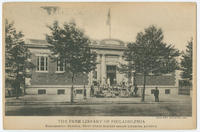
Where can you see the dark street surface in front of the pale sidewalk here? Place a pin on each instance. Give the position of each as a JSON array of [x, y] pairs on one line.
[[172, 109]]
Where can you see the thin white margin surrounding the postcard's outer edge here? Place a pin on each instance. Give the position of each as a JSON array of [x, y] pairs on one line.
[[198, 54]]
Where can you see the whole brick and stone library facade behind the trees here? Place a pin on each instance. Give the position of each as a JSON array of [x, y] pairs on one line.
[[50, 78]]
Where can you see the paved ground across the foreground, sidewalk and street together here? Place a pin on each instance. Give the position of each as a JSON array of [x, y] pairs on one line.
[[168, 106]]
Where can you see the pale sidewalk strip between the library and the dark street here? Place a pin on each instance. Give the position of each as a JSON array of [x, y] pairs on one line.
[[149, 99]]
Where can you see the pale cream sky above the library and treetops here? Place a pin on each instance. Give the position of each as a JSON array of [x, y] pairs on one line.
[[177, 20]]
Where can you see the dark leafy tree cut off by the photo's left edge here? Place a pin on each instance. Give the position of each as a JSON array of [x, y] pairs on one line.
[[16, 58]]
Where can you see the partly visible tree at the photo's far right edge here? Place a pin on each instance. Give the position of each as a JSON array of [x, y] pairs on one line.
[[186, 62]]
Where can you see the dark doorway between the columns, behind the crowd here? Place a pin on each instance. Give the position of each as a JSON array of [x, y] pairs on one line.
[[111, 74]]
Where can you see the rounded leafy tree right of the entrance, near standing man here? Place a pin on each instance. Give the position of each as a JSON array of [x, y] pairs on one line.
[[149, 54]]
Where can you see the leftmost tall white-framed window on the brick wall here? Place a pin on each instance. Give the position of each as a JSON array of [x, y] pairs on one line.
[[42, 63]]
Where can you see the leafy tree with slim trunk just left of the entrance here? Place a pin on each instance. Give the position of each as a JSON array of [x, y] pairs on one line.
[[71, 46]]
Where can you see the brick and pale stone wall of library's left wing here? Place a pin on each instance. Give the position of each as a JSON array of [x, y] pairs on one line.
[[51, 81]]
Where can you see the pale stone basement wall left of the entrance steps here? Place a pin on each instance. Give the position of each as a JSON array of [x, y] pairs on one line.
[[52, 93]]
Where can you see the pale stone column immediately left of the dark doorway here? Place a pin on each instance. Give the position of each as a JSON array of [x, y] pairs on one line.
[[103, 69]]
